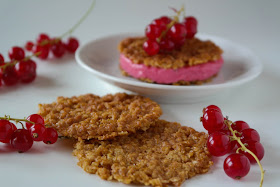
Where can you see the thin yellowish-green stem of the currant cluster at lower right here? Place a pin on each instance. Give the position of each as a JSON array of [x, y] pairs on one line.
[[244, 148]]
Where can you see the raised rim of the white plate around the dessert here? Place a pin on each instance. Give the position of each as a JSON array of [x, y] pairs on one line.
[[257, 69]]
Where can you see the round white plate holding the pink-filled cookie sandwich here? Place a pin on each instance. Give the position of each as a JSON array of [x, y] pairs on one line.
[[101, 58]]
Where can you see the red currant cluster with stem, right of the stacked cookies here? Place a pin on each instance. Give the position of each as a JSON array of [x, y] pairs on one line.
[[226, 137]]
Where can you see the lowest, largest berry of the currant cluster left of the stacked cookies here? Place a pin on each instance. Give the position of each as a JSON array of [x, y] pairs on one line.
[[21, 140]]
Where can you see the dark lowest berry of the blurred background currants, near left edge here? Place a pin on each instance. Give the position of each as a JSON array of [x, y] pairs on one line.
[[10, 76]]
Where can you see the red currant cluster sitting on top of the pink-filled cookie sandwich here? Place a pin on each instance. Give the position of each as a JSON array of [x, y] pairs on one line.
[[166, 34]]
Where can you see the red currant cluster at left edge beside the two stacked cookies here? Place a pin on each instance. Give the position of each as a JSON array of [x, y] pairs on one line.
[[22, 139]]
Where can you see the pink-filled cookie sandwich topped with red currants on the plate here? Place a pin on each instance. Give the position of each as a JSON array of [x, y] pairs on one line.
[[170, 54]]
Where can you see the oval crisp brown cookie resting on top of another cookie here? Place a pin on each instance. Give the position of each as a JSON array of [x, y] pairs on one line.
[[90, 116]]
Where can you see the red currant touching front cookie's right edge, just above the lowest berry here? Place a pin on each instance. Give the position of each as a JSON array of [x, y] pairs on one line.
[[218, 144]]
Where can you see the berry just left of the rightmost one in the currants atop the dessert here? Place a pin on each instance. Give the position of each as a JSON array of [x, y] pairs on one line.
[[177, 33]]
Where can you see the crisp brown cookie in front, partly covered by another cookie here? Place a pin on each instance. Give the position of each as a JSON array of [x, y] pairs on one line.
[[165, 154]]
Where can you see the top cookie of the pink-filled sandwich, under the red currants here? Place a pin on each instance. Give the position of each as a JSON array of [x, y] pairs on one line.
[[193, 52]]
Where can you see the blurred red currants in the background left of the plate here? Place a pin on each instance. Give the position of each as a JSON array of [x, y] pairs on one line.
[[22, 68]]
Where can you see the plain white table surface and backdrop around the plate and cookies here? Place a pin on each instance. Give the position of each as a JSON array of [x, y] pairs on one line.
[[253, 23]]
